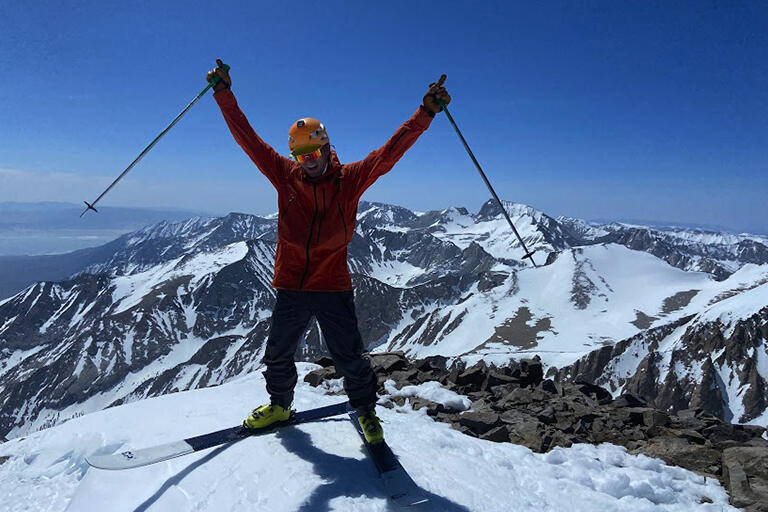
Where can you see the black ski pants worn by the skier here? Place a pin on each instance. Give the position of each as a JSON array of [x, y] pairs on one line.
[[335, 312]]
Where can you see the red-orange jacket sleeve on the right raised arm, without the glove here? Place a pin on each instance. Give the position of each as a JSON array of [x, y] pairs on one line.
[[365, 172]]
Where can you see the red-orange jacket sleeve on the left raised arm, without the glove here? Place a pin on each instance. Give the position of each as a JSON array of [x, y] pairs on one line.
[[274, 166]]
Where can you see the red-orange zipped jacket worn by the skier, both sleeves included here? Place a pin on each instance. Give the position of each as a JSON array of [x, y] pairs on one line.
[[316, 217]]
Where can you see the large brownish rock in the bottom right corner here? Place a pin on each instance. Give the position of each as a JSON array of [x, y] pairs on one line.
[[745, 472]]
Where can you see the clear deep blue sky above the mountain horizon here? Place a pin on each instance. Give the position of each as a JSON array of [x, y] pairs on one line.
[[593, 109]]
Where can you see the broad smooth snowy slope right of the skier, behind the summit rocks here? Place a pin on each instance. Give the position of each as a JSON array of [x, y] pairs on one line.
[[587, 298]]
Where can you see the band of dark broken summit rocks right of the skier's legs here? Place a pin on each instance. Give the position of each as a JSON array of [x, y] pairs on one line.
[[514, 404]]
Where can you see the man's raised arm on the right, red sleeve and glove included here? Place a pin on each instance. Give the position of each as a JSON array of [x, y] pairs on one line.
[[365, 172]]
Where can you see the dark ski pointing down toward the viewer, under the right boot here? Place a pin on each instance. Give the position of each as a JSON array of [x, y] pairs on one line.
[[399, 485]]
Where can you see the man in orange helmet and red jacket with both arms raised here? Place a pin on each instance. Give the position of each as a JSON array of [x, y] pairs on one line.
[[317, 207]]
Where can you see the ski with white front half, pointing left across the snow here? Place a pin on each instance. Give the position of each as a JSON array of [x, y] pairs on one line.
[[137, 458]]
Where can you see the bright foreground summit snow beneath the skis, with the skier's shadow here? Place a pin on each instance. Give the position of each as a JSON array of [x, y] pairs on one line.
[[321, 466]]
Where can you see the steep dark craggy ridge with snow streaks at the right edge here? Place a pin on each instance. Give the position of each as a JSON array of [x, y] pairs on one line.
[[709, 358]]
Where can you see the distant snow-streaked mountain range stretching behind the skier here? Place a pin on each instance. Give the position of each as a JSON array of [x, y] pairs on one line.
[[186, 305]]
